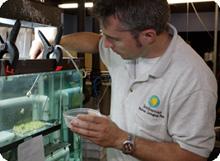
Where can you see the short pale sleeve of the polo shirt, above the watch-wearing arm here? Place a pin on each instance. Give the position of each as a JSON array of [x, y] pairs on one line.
[[191, 122]]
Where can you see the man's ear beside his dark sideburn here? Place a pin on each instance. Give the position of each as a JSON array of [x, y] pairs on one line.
[[148, 36]]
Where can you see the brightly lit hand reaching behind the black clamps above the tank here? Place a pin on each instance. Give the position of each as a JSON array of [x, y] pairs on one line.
[[36, 50]]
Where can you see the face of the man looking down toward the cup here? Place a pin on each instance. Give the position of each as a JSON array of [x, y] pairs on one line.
[[121, 41]]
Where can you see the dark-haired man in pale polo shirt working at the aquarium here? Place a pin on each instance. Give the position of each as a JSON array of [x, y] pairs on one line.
[[163, 94]]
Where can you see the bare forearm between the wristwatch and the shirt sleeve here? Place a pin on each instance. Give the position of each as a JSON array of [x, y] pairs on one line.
[[162, 151]]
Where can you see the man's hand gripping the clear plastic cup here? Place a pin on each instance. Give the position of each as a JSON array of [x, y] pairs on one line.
[[99, 129]]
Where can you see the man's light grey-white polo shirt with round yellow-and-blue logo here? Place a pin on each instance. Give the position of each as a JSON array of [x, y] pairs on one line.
[[172, 100]]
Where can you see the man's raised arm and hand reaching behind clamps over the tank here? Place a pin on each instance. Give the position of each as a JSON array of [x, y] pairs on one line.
[[79, 42]]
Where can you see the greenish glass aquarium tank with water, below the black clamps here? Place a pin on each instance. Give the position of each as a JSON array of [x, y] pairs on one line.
[[31, 104]]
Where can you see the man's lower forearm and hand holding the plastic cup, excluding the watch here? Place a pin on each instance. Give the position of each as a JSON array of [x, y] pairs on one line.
[[102, 131]]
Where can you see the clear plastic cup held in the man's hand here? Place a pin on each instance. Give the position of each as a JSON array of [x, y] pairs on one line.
[[71, 114]]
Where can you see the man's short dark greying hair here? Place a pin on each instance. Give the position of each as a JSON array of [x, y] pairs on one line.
[[135, 15]]
